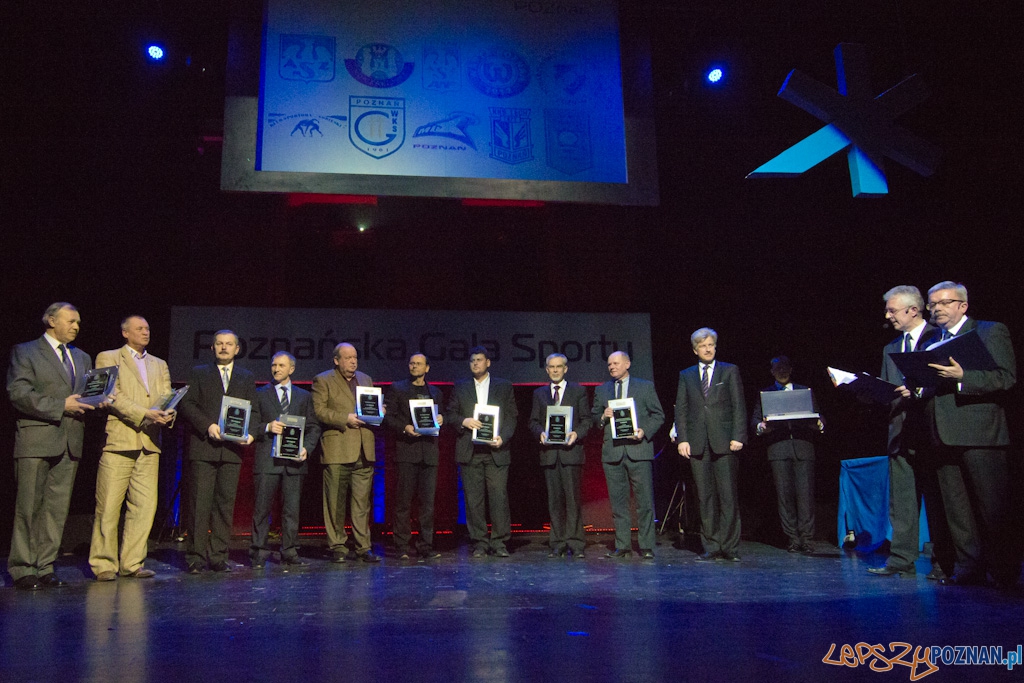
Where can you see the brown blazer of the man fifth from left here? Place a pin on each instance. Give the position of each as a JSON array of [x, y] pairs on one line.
[[334, 402]]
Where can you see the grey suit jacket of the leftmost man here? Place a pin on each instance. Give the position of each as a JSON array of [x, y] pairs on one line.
[[37, 387]]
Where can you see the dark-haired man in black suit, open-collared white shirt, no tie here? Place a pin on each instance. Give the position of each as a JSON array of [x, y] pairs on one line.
[[485, 467]]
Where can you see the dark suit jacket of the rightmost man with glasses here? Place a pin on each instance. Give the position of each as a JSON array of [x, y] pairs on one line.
[[975, 415]]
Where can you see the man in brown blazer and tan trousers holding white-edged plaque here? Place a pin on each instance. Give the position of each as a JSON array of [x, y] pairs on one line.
[[349, 456]]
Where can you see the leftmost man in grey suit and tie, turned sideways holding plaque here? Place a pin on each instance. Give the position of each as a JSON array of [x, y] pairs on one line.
[[45, 382]]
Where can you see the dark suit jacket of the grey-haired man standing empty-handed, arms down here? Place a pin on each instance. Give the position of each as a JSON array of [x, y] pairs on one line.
[[715, 420]]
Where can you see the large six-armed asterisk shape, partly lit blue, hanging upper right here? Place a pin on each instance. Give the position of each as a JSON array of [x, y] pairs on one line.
[[857, 120]]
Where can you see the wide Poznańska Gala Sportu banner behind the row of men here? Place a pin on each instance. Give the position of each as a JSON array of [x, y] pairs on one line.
[[519, 341]]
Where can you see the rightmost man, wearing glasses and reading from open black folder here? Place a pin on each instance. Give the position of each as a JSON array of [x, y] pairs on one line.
[[968, 425]]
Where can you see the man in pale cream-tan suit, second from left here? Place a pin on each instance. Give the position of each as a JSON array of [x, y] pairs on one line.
[[131, 464]]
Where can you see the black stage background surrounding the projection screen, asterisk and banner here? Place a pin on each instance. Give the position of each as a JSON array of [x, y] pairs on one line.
[[110, 199]]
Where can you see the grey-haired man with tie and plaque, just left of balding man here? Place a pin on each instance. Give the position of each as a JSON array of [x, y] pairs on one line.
[[563, 463]]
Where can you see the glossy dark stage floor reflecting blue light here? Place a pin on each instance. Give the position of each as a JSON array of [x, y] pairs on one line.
[[774, 617]]
